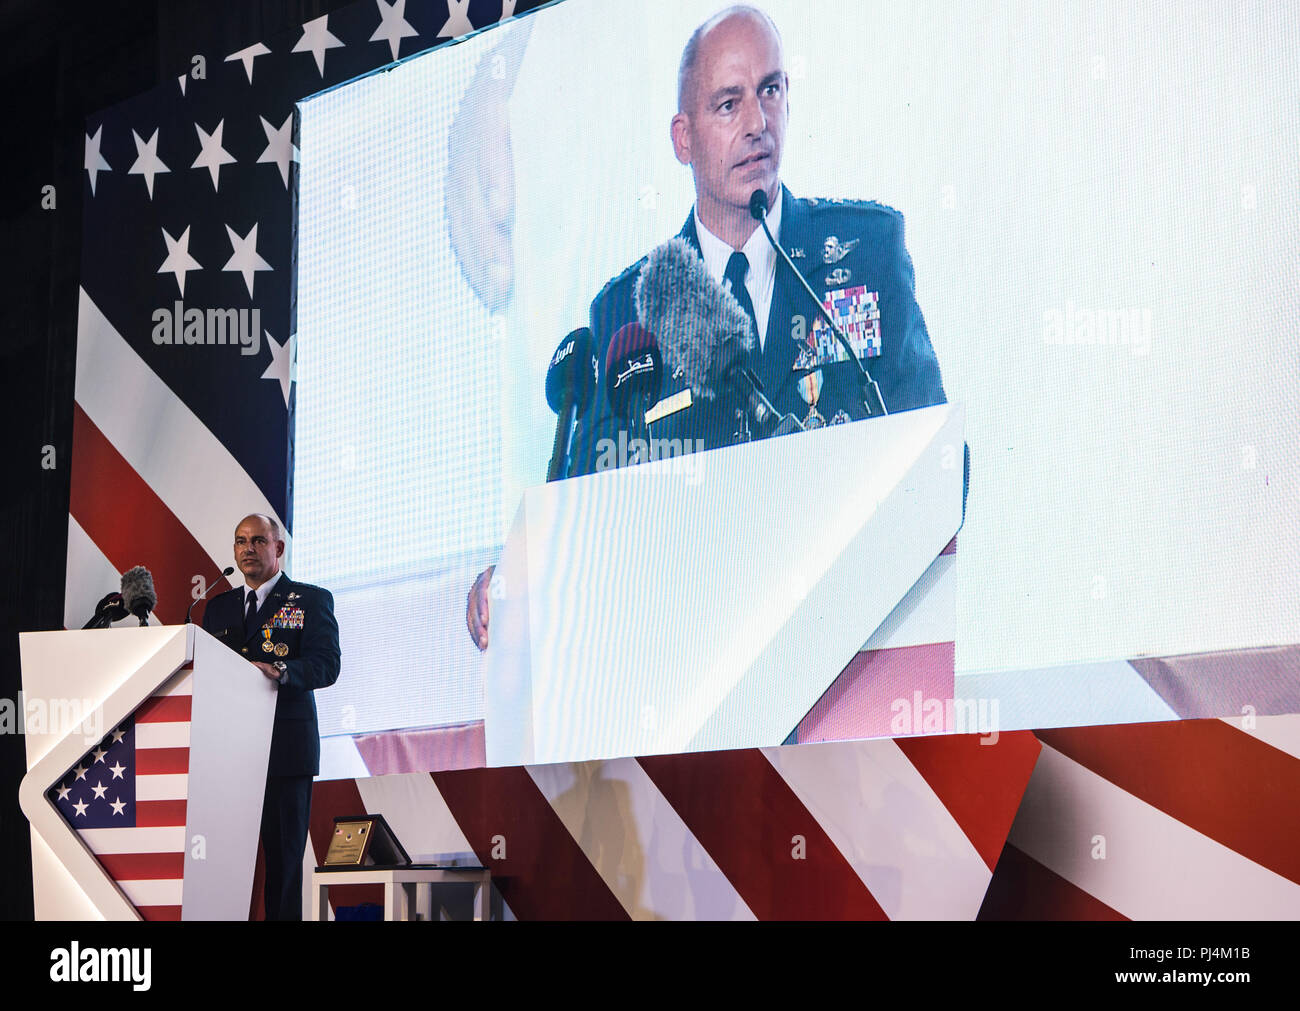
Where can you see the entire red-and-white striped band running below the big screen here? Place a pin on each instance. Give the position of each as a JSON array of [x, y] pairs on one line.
[[1173, 821]]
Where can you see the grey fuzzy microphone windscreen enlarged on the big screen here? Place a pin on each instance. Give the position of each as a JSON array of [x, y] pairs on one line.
[[700, 326]]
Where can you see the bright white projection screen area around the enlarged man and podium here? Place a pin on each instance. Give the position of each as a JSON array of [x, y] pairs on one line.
[[1102, 205]]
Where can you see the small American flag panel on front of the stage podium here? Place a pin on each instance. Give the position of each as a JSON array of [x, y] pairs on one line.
[[127, 800]]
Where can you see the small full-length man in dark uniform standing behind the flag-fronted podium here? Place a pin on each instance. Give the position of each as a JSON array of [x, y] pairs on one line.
[[288, 631]]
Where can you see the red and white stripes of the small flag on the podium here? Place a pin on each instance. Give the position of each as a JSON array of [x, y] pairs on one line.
[[148, 861]]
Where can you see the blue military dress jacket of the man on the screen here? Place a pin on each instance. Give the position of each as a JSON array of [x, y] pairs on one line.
[[840, 248]]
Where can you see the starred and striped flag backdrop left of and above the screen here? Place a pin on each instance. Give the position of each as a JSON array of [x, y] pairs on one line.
[[190, 222]]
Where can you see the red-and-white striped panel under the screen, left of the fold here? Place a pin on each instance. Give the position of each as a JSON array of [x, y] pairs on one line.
[[866, 830]]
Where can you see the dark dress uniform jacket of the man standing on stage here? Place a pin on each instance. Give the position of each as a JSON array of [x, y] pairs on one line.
[[298, 622]]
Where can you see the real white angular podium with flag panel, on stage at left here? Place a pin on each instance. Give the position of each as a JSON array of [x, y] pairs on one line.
[[187, 726]]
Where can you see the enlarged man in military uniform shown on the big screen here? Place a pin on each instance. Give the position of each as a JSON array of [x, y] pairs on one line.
[[733, 111]]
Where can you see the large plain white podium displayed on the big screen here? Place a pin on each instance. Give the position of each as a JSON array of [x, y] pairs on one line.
[[707, 602]]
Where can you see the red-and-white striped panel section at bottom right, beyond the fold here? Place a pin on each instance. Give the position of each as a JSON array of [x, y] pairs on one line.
[[1181, 821]]
